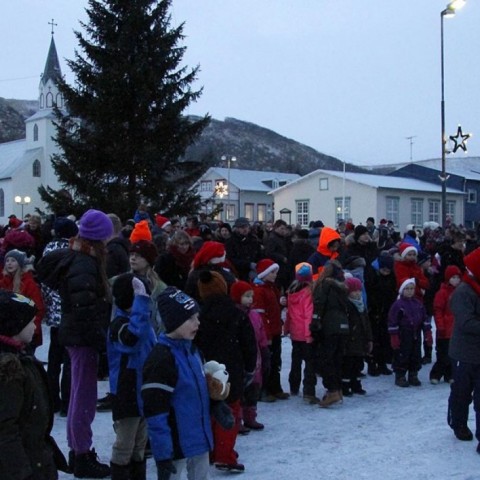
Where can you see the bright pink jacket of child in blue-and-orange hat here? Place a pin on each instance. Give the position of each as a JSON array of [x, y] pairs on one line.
[[299, 315]]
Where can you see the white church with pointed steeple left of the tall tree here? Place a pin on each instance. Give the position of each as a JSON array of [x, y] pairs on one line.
[[25, 164]]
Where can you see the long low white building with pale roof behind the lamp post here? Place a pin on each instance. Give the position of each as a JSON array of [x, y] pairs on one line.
[[329, 195]]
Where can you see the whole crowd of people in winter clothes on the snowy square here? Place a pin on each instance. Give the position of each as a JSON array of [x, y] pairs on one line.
[[186, 320]]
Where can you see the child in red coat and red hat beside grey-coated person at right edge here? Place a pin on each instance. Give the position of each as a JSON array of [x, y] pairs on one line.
[[444, 320]]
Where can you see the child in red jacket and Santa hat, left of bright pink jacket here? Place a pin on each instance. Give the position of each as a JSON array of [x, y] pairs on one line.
[[267, 303]]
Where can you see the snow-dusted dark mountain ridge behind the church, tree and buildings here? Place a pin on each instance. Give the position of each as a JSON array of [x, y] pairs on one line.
[[255, 147]]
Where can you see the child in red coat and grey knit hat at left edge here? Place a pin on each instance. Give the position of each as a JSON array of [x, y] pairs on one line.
[[17, 277]]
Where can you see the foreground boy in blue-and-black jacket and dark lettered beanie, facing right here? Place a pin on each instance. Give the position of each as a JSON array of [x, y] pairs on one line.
[[175, 393]]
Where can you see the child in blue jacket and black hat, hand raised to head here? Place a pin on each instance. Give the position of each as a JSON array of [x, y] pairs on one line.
[[130, 340]]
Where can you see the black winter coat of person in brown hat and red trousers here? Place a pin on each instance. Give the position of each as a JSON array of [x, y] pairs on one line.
[[226, 335]]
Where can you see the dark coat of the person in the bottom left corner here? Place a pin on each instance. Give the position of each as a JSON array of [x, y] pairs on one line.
[[26, 418]]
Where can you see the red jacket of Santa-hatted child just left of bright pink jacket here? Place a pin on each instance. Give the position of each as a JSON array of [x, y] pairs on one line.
[[266, 301]]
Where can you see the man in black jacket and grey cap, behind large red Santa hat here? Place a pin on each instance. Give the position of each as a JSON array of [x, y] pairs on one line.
[[243, 249]]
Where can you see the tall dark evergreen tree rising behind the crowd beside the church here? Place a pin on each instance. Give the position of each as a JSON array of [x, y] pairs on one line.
[[124, 133]]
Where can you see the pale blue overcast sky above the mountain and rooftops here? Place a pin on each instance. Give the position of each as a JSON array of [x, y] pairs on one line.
[[350, 78]]
